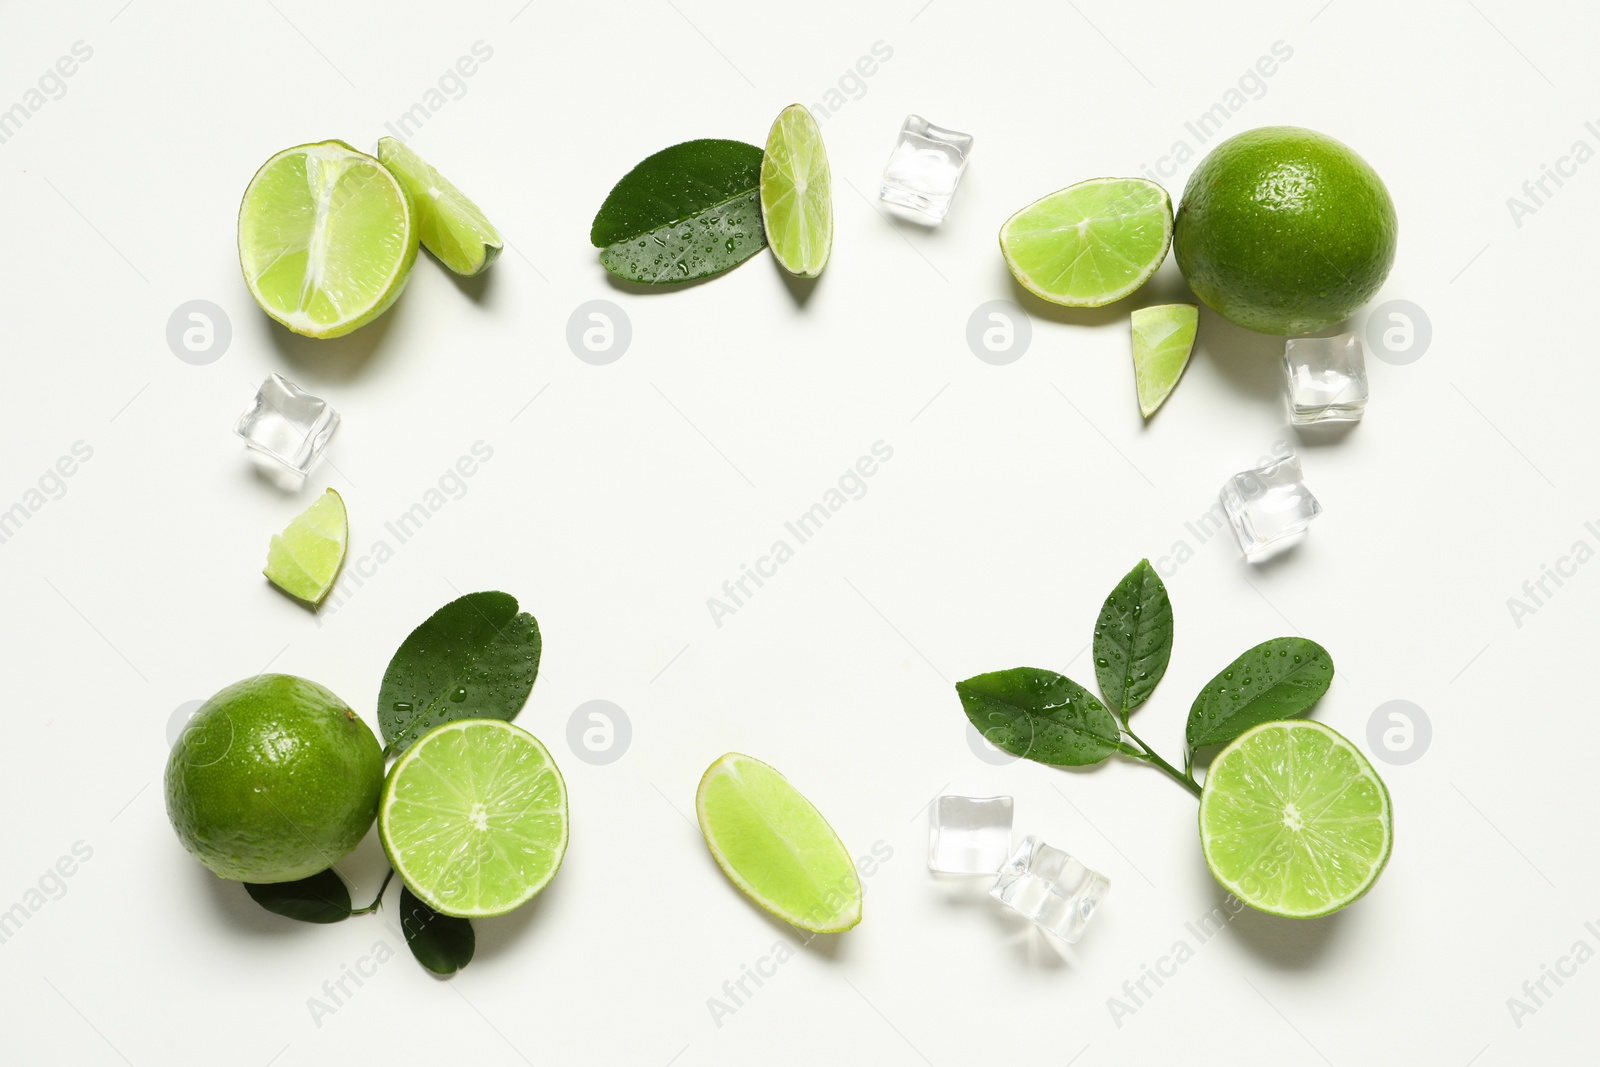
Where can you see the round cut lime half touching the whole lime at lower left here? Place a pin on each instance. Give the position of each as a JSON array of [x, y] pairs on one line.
[[474, 818]]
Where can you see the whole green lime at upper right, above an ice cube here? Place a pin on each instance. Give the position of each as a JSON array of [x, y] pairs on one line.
[[1286, 231]]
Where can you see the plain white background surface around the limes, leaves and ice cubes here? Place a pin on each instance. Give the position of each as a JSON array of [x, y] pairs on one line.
[[622, 497]]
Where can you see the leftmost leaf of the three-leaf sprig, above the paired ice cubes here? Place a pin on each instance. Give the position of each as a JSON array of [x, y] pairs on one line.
[[1041, 716]]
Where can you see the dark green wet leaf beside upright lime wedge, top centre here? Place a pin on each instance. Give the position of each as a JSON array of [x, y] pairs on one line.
[[684, 214]]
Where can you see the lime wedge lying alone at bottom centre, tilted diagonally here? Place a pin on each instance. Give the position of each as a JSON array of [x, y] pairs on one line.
[[777, 847]]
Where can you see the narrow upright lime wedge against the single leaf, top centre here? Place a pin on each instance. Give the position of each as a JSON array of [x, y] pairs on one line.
[[798, 194]]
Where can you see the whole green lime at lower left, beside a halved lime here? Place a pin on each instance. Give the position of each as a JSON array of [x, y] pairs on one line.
[[274, 780]]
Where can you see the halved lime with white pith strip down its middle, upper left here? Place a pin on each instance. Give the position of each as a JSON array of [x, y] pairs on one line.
[[326, 238]]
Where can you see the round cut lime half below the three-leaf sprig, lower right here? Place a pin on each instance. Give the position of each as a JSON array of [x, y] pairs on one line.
[[1295, 821]]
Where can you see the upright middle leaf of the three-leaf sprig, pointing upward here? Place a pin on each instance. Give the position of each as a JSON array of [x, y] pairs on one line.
[[1134, 639]]
